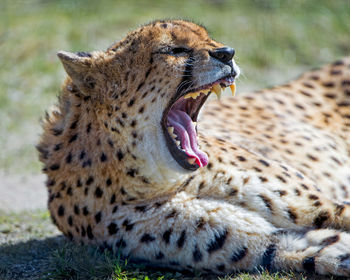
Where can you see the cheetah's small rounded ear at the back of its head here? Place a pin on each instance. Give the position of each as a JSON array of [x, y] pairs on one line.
[[79, 68]]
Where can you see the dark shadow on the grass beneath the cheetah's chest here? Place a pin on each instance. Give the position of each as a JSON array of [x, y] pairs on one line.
[[57, 258]]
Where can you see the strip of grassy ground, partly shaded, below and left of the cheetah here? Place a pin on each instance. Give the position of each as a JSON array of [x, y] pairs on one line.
[[32, 248]]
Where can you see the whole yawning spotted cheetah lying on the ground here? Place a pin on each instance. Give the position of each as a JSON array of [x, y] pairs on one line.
[[259, 181]]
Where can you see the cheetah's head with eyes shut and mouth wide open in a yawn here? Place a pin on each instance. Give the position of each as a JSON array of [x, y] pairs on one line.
[[149, 88]]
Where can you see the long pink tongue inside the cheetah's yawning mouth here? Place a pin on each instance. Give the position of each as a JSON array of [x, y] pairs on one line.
[[185, 130]]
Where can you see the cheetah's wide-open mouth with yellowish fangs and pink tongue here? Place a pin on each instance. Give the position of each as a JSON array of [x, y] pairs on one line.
[[180, 123]]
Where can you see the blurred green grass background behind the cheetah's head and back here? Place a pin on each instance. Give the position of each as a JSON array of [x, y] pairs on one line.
[[274, 41]]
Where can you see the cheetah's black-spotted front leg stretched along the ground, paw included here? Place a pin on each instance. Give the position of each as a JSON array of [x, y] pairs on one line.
[[209, 235]]
